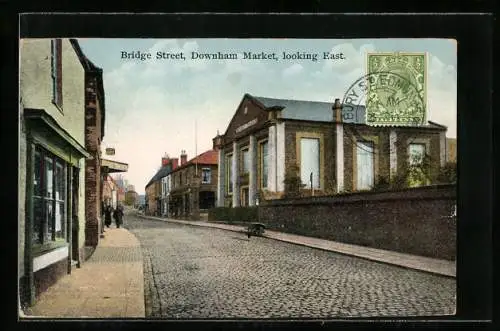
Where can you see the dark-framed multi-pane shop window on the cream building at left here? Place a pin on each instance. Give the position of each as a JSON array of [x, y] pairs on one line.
[[49, 198]]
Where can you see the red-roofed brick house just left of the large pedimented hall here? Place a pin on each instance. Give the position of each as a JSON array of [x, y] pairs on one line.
[[191, 188]]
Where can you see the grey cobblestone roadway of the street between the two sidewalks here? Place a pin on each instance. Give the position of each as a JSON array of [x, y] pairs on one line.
[[193, 272]]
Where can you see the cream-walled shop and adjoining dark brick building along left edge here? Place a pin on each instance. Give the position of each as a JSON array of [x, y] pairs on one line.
[[62, 173]]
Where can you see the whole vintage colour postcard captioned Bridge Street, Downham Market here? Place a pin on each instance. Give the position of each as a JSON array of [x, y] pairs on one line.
[[237, 178]]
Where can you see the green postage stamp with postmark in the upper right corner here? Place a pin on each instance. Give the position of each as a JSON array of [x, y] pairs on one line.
[[396, 88]]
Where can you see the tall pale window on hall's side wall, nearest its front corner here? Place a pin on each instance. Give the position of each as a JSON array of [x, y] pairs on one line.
[[309, 162]]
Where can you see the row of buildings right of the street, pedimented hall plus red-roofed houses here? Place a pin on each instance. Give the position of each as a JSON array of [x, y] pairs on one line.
[[273, 146]]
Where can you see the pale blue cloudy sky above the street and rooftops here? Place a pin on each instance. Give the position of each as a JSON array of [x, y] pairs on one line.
[[157, 106]]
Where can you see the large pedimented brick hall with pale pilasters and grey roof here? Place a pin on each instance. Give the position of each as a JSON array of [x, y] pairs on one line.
[[270, 144]]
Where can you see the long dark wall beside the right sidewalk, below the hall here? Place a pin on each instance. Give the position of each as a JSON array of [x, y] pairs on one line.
[[413, 221]]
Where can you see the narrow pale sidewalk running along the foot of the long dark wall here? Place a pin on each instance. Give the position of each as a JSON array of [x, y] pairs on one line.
[[435, 266]]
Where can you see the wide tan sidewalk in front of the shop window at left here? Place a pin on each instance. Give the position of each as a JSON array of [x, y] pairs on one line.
[[110, 284]]
